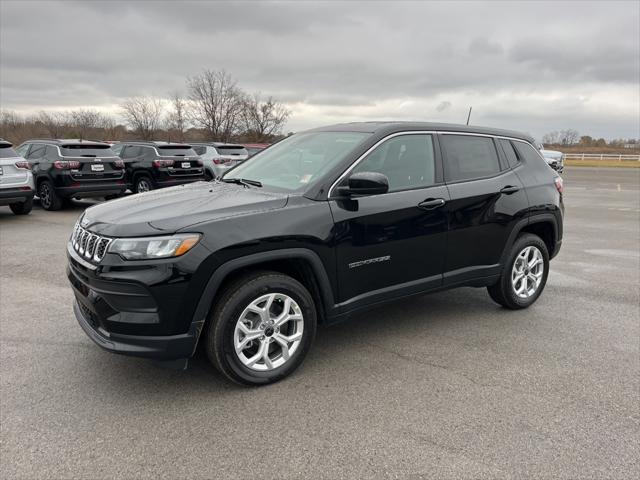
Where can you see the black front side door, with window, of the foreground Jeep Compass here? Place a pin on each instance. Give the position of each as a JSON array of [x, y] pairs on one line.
[[396, 240]]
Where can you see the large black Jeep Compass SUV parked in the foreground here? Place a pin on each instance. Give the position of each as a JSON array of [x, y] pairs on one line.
[[322, 224]]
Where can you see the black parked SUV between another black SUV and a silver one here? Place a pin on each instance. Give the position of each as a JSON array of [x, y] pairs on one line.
[[152, 165]]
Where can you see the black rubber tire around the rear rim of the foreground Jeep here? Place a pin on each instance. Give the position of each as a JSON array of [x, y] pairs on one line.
[[503, 292]]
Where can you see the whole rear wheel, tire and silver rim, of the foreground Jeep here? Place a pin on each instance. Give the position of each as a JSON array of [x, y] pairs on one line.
[[524, 275]]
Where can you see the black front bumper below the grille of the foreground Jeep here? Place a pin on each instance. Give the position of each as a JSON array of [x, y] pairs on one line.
[[123, 315]]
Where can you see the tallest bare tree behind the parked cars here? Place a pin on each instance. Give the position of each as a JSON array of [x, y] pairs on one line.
[[217, 103]]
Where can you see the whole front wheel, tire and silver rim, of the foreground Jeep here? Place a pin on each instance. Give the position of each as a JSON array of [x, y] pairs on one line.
[[261, 328]]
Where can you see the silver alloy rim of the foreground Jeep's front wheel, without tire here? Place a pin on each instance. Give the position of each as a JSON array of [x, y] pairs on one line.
[[268, 332]]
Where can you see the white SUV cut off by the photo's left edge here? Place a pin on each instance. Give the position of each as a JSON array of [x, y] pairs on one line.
[[16, 180]]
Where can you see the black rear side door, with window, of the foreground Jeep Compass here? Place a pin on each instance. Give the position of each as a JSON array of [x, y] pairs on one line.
[[487, 200]]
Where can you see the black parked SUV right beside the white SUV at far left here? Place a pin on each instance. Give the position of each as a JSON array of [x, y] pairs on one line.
[[65, 169]]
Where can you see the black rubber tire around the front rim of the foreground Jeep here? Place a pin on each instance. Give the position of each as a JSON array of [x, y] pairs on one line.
[[219, 334]]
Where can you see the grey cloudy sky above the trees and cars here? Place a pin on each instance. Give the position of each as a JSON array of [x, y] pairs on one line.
[[530, 66]]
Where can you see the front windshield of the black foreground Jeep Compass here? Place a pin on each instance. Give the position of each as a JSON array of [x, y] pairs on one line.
[[296, 162]]
